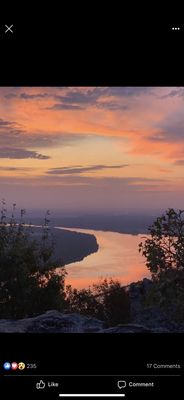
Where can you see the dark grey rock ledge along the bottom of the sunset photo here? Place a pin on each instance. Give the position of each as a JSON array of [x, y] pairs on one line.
[[56, 322]]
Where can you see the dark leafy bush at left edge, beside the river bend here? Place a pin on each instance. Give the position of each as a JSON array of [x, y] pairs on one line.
[[28, 282]]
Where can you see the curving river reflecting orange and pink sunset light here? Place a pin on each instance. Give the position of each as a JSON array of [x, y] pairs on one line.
[[117, 257]]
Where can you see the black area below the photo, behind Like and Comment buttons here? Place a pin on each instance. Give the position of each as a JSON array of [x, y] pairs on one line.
[[112, 355]]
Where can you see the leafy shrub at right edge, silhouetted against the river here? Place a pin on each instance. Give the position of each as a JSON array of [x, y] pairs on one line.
[[164, 252]]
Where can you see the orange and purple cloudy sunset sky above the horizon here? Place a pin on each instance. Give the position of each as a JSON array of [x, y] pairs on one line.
[[92, 149]]
